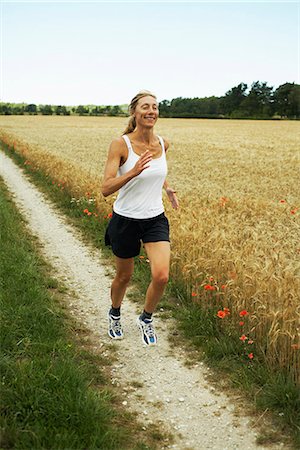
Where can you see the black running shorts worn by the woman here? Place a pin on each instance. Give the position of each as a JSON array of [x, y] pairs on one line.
[[124, 234]]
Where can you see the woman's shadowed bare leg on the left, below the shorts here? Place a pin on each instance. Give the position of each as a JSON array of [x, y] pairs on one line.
[[124, 267]]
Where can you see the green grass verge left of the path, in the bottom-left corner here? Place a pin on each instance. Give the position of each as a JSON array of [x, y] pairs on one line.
[[54, 392]]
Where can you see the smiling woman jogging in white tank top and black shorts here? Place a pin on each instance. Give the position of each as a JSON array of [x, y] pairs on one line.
[[136, 167]]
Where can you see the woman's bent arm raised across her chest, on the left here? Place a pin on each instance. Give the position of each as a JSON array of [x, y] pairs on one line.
[[112, 183]]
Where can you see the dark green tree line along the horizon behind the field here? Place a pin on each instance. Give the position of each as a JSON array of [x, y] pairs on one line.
[[260, 101]]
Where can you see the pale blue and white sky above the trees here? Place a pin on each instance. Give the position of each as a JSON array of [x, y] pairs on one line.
[[93, 52]]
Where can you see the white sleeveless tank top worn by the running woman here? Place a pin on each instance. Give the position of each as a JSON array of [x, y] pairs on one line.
[[141, 197]]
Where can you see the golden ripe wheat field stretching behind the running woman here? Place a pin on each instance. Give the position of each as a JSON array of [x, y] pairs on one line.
[[237, 229]]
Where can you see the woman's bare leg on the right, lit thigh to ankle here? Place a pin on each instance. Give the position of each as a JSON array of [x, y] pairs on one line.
[[159, 256]]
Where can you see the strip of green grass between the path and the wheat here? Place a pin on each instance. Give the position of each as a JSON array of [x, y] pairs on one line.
[[219, 346]]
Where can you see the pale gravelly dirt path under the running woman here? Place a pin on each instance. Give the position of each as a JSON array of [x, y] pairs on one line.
[[155, 381]]
